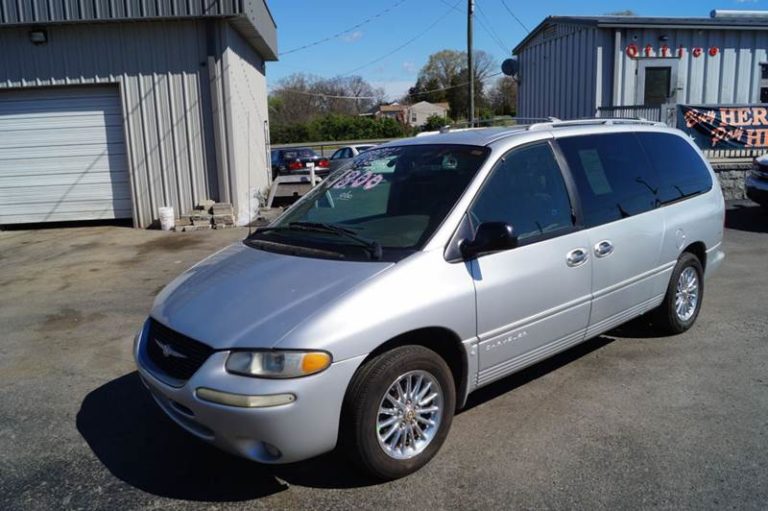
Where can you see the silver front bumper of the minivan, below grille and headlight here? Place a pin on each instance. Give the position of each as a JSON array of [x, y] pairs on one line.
[[292, 432]]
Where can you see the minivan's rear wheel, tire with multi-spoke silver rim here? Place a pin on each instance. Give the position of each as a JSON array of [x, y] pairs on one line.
[[667, 317]]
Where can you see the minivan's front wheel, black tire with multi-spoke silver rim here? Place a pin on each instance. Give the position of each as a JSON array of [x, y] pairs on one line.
[[363, 429]]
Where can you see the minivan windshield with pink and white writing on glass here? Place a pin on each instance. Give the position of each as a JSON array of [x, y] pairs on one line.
[[386, 201]]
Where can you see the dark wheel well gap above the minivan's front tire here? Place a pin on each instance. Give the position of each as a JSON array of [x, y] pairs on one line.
[[442, 341]]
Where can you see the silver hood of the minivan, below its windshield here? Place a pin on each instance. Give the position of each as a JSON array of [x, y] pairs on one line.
[[242, 297]]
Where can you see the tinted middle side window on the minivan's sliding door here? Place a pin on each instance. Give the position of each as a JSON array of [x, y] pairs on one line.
[[614, 178]]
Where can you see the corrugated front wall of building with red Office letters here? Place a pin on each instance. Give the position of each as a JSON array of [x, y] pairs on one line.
[[732, 76]]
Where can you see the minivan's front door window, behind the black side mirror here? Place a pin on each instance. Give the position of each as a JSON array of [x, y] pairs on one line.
[[527, 191]]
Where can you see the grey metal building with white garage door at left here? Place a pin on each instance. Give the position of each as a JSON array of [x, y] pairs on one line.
[[112, 109]]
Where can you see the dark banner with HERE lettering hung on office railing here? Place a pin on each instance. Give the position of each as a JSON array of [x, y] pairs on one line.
[[725, 126]]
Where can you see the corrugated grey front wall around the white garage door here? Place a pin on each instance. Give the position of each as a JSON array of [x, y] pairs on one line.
[[161, 70]]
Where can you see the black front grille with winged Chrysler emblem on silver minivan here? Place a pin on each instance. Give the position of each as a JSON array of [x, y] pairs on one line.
[[173, 353]]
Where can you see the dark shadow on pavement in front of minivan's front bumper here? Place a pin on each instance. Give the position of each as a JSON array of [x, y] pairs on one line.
[[139, 445]]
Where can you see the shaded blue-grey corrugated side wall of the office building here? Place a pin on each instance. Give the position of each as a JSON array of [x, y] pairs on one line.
[[562, 72]]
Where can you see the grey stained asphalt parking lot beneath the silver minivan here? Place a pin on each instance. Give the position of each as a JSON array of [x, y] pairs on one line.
[[624, 421]]
